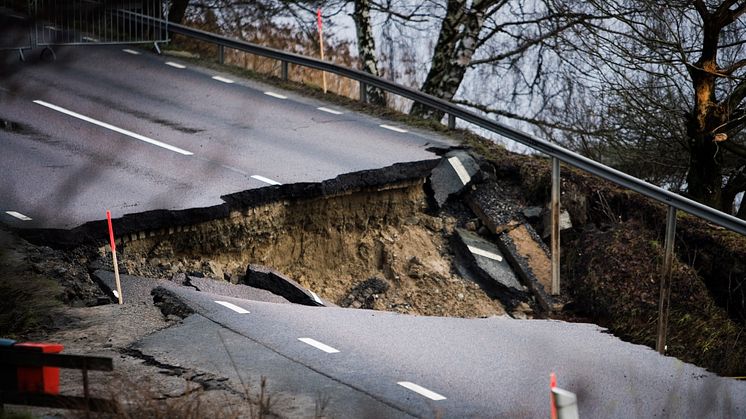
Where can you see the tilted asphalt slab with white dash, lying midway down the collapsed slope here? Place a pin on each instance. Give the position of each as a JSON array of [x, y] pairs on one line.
[[488, 263]]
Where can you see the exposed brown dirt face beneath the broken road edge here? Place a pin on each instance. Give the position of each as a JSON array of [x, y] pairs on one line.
[[331, 245]]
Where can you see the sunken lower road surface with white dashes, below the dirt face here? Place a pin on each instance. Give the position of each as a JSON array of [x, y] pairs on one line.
[[381, 364]]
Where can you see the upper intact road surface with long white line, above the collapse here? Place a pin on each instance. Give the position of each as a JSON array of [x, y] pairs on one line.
[[127, 130]]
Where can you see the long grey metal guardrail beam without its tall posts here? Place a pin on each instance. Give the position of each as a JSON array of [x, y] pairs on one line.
[[569, 157]]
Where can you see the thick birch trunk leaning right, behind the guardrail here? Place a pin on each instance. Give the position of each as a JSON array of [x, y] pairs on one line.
[[457, 42]]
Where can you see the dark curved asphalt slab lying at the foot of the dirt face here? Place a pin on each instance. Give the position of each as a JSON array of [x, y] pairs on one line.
[[259, 276]]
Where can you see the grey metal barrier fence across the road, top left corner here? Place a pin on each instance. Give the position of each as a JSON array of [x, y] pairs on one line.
[[47, 23]]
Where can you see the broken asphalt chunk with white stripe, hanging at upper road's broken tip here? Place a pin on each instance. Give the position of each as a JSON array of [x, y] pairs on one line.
[[452, 174]]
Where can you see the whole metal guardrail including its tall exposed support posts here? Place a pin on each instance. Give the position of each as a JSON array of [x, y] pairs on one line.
[[556, 152]]
